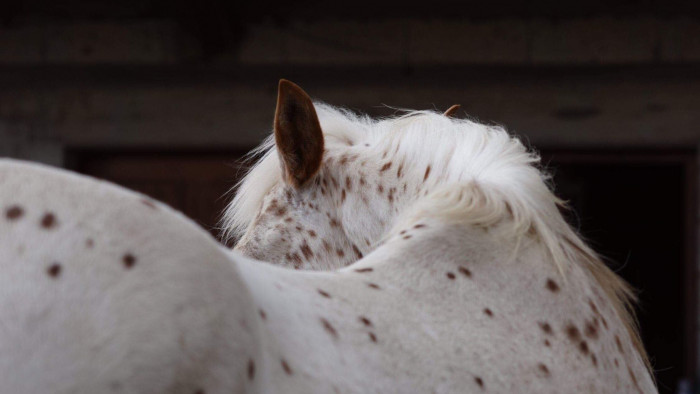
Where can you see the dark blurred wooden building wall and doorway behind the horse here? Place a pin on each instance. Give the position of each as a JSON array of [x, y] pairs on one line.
[[165, 97]]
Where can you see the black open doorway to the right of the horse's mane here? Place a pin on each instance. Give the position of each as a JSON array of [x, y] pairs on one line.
[[637, 211]]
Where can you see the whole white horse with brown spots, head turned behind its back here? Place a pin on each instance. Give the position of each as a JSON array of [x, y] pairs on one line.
[[461, 277]]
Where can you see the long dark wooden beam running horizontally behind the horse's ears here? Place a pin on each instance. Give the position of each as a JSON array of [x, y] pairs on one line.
[[573, 108]]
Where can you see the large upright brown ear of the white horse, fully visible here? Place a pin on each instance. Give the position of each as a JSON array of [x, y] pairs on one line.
[[298, 134]]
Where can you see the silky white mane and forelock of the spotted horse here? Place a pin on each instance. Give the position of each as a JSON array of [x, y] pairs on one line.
[[481, 175]]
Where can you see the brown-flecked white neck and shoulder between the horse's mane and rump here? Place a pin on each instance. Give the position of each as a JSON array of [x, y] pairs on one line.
[[454, 295]]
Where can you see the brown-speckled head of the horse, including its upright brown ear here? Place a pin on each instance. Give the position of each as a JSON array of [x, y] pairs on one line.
[[311, 201]]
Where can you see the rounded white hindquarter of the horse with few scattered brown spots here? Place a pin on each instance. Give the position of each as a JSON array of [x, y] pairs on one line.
[[105, 290]]
